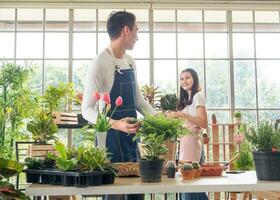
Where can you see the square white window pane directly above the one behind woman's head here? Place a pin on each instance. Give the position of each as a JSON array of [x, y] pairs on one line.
[[190, 45]]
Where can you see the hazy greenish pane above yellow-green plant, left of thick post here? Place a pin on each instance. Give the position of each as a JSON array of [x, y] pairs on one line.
[[56, 71]]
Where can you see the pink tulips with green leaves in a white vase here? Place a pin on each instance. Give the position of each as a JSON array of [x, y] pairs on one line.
[[103, 107]]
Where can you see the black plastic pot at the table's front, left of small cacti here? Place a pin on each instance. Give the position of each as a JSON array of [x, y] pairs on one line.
[[150, 170]]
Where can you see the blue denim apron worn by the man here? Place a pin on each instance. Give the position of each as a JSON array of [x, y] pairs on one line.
[[120, 145]]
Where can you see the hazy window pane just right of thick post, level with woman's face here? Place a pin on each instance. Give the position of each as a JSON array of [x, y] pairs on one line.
[[244, 84]]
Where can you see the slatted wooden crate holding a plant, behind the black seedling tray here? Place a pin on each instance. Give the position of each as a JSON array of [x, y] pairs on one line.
[[39, 150]]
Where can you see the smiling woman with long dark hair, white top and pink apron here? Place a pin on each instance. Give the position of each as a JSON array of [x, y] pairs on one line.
[[192, 110]]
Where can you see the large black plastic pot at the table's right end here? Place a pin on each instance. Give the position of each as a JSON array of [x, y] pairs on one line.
[[267, 165]]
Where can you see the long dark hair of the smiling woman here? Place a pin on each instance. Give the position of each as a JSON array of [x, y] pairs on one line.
[[185, 100]]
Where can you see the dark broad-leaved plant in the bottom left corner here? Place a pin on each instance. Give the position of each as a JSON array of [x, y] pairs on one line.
[[9, 168]]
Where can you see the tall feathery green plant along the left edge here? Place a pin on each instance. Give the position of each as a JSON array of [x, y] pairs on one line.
[[16, 101]]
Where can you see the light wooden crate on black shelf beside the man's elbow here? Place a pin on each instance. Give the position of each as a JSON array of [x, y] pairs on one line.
[[64, 118]]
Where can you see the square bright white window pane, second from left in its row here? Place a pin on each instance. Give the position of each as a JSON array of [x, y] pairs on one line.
[[29, 45]]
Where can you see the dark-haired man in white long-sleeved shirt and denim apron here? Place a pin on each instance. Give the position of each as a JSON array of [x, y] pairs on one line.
[[113, 71]]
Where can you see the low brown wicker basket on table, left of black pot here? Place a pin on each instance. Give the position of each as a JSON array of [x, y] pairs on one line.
[[127, 169]]
